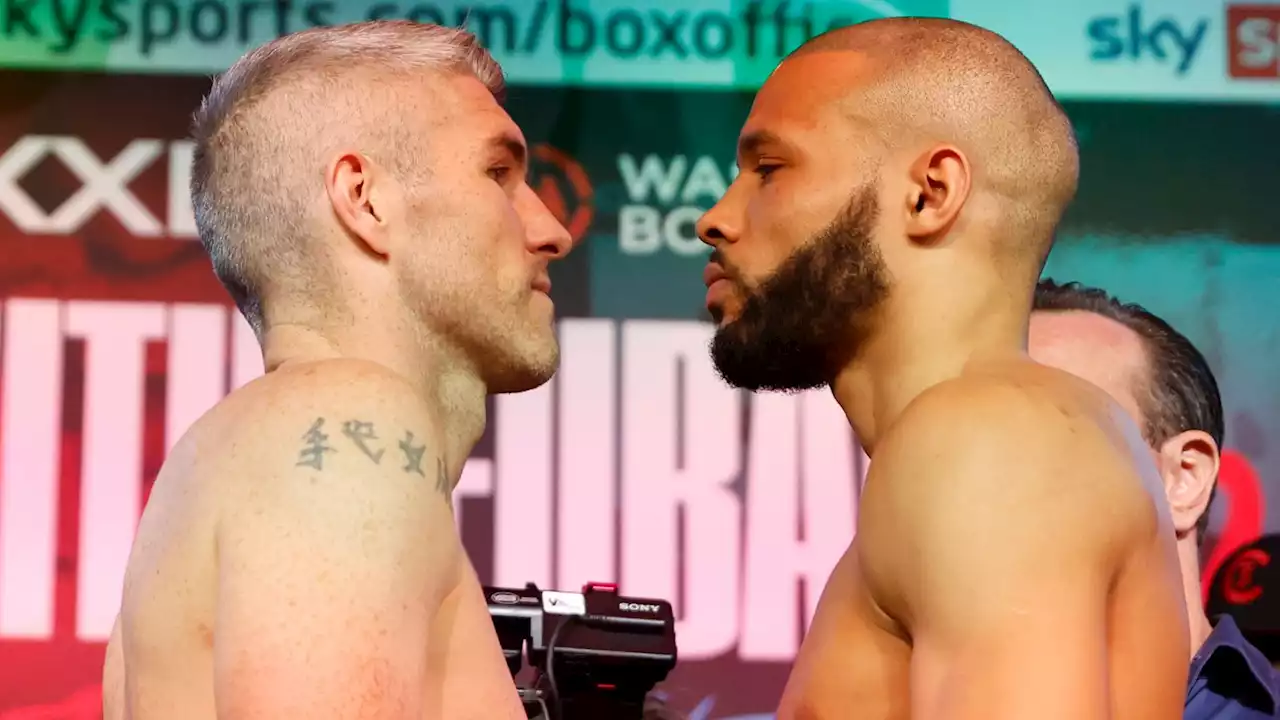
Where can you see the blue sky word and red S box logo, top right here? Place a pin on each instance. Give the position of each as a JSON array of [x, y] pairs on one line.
[[1139, 35]]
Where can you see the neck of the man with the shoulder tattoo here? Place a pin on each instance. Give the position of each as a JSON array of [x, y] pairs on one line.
[[441, 376]]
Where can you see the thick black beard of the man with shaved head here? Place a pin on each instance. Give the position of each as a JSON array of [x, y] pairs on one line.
[[813, 313]]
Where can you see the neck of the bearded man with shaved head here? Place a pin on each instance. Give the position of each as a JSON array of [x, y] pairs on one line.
[[927, 341]]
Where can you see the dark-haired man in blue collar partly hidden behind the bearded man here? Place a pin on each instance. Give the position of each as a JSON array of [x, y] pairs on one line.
[[1156, 375]]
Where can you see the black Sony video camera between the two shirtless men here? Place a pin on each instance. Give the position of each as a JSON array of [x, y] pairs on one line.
[[596, 655]]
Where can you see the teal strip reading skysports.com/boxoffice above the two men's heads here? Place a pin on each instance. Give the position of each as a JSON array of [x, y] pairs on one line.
[[582, 43]]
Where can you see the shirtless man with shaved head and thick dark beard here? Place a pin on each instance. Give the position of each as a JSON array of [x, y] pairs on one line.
[[900, 186]]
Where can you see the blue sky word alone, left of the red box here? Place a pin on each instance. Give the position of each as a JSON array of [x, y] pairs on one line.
[[1139, 38]]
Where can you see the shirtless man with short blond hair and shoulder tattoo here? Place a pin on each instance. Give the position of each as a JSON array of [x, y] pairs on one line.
[[364, 199]]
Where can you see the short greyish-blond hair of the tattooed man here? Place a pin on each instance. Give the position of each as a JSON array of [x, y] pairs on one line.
[[268, 121]]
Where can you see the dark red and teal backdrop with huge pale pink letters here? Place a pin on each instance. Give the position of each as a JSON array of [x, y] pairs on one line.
[[636, 464]]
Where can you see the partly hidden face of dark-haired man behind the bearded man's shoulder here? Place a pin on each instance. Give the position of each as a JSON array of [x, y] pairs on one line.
[[1096, 349]]
